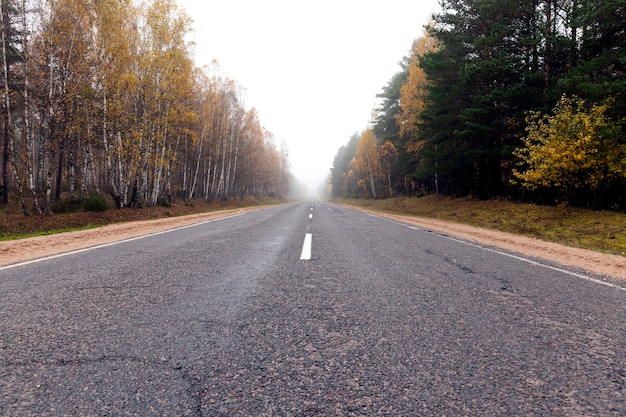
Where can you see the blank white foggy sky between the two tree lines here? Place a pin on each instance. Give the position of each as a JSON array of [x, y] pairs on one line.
[[311, 69]]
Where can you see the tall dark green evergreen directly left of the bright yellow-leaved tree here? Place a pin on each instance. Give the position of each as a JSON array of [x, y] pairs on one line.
[[482, 79]]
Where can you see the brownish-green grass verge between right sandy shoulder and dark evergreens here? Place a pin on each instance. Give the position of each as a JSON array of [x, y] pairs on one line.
[[595, 230]]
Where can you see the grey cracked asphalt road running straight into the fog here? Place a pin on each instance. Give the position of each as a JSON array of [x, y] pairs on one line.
[[226, 319]]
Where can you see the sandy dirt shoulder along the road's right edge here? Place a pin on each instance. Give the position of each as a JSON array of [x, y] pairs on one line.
[[594, 262]]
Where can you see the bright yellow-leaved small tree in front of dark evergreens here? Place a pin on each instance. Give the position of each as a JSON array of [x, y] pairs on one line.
[[574, 148]]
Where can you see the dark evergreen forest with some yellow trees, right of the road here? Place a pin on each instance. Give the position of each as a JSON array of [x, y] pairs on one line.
[[513, 99]]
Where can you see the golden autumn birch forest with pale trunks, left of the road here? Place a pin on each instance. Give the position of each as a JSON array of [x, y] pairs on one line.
[[102, 98]]
